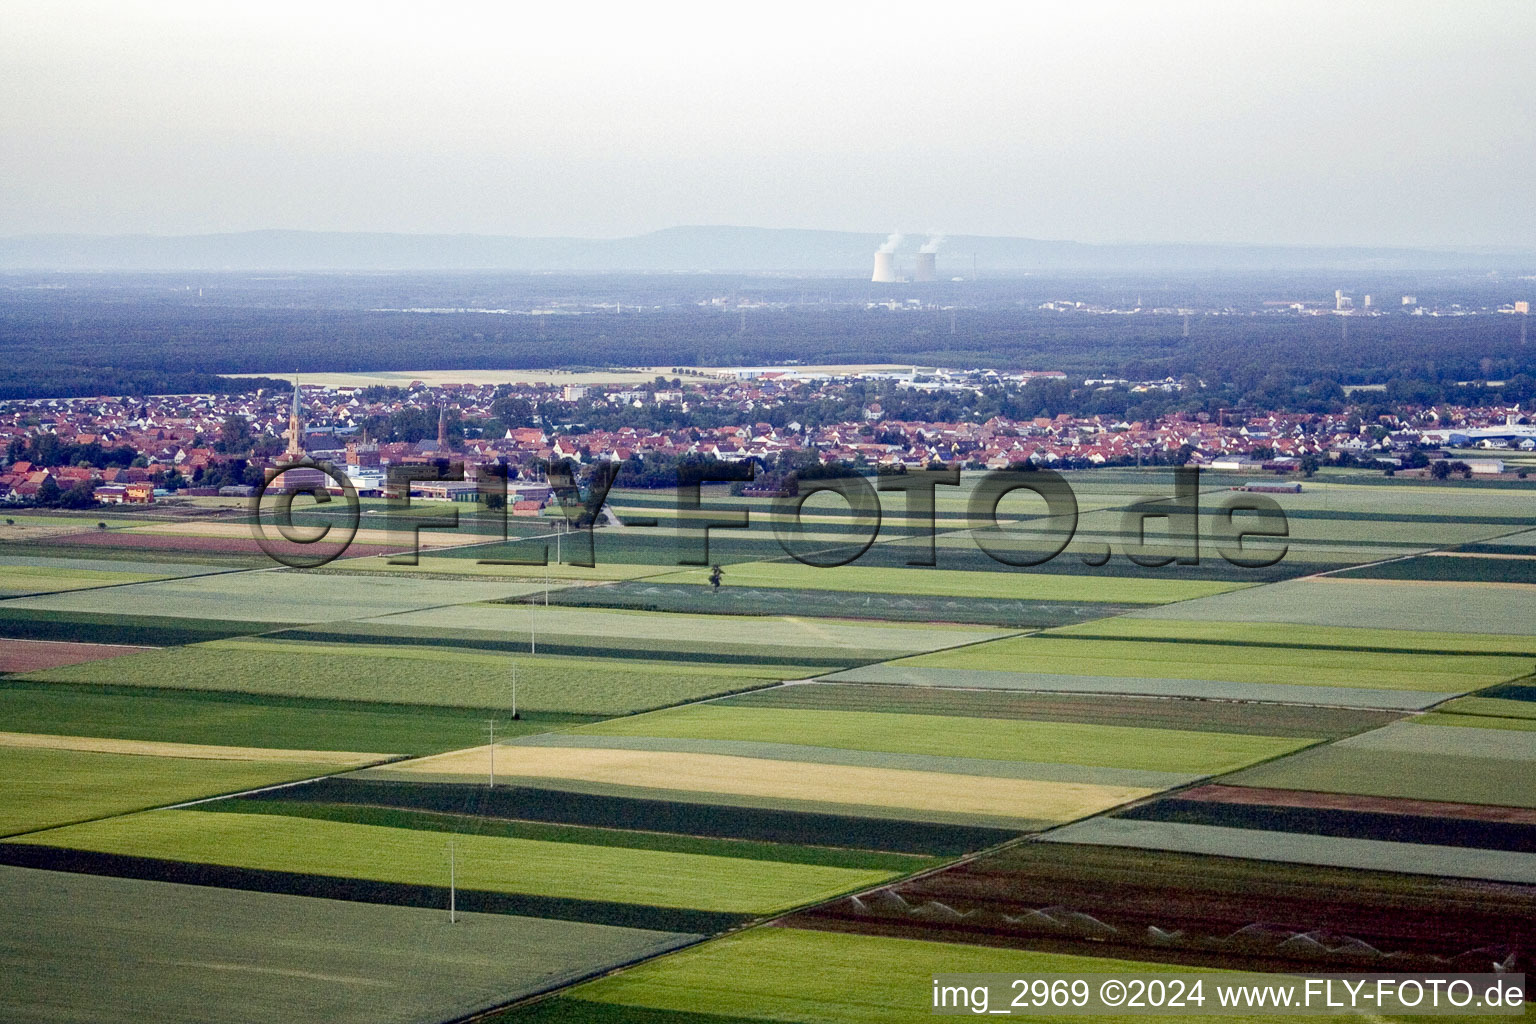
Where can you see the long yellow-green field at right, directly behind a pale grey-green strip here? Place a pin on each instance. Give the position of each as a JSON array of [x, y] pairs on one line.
[[1242, 664]]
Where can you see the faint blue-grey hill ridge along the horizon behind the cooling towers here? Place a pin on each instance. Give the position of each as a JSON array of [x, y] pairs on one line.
[[703, 249]]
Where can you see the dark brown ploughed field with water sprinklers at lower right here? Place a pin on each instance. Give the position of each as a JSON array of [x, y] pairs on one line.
[[1207, 911]]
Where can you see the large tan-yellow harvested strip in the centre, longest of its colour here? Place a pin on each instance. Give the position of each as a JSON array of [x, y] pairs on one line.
[[787, 781]]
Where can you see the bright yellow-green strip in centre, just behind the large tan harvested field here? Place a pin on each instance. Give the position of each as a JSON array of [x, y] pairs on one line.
[[941, 736]]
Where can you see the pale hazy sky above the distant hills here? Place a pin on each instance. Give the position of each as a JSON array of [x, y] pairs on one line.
[[1343, 122]]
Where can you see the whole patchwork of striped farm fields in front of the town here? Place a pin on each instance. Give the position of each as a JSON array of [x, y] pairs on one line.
[[1196, 767]]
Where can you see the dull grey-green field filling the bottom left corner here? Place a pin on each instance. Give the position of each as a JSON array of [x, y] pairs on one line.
[[82, 948]]
